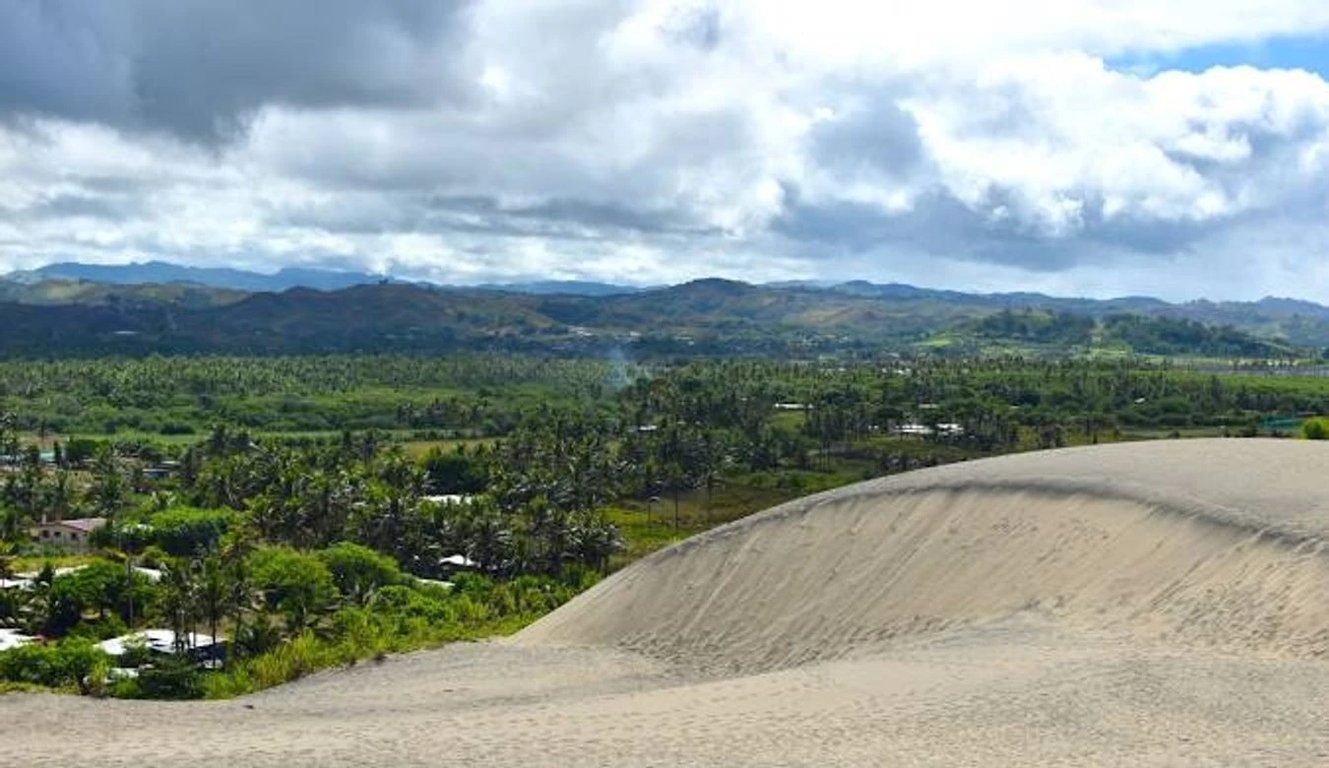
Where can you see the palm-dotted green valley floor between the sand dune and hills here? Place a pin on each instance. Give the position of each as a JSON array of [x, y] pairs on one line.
[[502, 488]]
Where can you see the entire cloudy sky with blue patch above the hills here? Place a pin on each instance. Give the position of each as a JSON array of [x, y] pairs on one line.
[[1176, 149]]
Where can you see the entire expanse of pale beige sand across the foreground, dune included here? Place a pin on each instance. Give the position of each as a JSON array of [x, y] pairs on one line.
[[1153, 604]]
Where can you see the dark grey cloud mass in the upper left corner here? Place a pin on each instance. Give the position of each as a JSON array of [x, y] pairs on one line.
[[203, 68]]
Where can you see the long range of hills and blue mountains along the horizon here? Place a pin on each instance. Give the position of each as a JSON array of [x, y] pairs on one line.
[[161, 308]]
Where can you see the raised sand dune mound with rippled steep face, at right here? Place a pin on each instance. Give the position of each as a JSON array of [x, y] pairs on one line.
[[1197, 559]]
